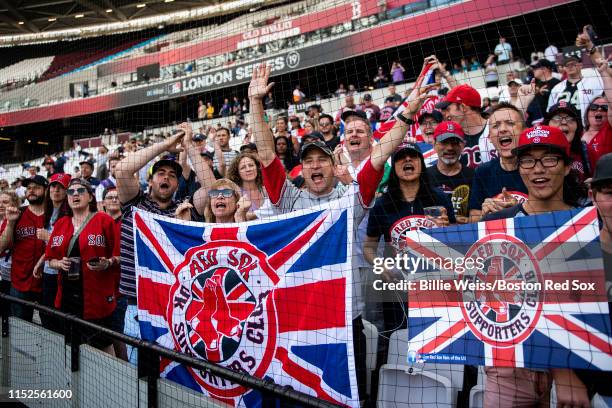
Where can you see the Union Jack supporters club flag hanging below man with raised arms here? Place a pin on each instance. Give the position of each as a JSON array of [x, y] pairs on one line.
[[271, 298]]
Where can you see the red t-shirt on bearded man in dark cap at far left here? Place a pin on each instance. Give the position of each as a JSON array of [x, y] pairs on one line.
[[27, 250]]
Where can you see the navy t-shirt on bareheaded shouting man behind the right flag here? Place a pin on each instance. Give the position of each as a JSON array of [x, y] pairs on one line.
[[490, 179]]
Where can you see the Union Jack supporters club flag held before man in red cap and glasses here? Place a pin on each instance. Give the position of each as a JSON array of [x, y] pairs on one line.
[[525, 325]]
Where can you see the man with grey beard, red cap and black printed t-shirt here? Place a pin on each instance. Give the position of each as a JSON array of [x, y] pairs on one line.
[[449, 175]]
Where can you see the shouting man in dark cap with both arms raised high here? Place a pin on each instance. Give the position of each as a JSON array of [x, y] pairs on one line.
[[320, 171]]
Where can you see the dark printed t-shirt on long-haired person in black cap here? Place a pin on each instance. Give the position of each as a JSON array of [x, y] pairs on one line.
[[393, 219]]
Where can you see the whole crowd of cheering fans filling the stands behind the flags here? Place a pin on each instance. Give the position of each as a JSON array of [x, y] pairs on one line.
[[545, 147]]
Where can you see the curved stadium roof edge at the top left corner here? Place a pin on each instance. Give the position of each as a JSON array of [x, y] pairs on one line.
[[37, 20]]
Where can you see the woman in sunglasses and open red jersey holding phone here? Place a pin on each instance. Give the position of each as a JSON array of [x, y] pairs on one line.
[[84, 247]]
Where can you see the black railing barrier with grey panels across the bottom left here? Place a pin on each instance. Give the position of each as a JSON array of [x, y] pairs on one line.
[[41, 368]]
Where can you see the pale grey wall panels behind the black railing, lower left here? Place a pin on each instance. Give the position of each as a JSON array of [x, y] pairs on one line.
[[34, 358]]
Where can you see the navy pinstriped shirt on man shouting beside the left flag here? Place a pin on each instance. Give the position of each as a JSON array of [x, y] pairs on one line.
[[127, 283]]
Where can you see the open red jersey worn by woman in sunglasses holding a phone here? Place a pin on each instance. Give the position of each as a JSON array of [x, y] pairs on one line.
[[99, 238]]
